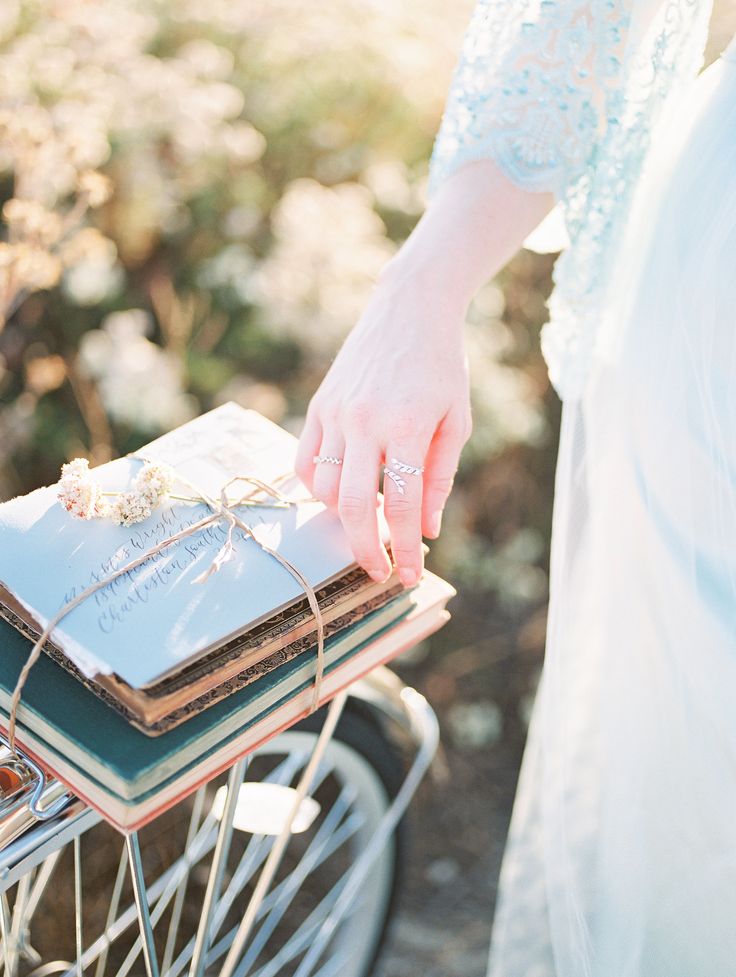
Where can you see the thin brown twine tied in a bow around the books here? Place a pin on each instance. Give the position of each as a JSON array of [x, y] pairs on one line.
[[222, 508]]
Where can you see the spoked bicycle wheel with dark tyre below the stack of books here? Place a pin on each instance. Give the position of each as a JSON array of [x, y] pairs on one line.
[[354, 784]]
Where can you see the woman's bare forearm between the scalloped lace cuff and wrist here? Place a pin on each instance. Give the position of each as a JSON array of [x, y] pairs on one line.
[[475, 223]]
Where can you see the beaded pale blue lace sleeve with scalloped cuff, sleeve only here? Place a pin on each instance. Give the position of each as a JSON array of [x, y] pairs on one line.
[[535, 86]]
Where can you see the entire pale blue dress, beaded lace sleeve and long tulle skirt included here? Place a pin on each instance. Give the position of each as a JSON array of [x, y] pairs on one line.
[[621, 856]]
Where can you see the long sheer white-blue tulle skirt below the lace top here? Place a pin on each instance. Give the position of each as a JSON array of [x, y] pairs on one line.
[[621, 857]]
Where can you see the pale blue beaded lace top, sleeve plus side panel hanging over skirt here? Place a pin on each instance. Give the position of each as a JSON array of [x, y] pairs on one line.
[[564, 96]]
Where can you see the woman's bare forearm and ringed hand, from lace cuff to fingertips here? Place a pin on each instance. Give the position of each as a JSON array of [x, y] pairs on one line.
[[398, 387]]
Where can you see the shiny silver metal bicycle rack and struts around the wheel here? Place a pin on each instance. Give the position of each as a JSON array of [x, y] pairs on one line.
[[390, 701]]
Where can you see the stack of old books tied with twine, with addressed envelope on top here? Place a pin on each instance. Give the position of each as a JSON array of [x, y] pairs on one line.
[[160, 679]]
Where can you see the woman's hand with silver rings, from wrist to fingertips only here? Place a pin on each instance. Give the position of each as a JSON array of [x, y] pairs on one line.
[[398, 388]]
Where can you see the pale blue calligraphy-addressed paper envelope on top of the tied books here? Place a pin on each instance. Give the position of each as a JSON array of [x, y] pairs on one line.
[[154, 619]]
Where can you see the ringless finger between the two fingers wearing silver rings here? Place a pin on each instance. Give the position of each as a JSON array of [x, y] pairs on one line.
[[358, 502]]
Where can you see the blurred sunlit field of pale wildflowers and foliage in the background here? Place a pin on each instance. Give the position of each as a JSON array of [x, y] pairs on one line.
[[197, 196]]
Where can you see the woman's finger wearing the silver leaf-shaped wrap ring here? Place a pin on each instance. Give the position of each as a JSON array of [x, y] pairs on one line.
[[402, 505]]
